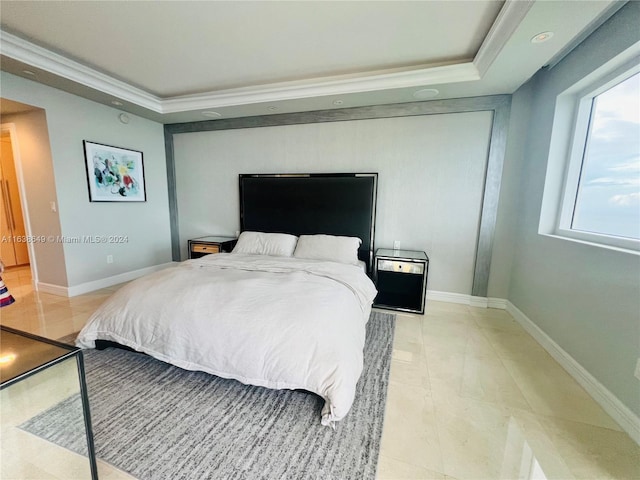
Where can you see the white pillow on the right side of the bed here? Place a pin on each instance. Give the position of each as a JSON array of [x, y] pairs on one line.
[[328, 247]]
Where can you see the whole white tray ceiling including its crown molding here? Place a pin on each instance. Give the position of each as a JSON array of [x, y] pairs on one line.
[[172, 61]]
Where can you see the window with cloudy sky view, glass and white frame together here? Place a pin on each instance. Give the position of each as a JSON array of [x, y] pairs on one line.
[[600, 200]]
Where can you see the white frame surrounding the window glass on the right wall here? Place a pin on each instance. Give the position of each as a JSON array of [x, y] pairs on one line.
[[566, 155]]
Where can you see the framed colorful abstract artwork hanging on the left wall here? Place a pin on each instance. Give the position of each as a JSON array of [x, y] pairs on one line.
[[114, 174]]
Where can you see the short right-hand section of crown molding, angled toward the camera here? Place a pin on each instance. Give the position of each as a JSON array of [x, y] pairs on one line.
[[508, 20]]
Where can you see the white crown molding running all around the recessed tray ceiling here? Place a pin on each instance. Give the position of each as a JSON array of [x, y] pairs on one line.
[[512, 13]]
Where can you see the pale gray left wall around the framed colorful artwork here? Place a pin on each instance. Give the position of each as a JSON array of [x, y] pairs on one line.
[[70, 120]]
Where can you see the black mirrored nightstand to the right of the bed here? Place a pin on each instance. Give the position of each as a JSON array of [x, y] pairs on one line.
[[401, 279]]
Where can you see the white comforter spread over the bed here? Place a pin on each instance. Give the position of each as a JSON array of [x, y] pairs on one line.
[[275, 322]]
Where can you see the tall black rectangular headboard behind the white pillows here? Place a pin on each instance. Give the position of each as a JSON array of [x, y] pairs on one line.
[[305, 204]]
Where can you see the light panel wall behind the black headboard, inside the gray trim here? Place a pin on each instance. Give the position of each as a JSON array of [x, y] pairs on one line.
[[431, 179]]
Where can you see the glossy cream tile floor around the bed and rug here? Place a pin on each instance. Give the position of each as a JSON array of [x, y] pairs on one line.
[[472, 396]]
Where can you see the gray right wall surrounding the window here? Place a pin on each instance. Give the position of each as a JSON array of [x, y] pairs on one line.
[[586, 298]]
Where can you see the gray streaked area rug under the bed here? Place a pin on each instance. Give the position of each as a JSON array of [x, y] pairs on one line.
[[156, 421]]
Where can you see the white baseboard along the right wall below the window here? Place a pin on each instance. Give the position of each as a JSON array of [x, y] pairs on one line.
[[627, 419]]
